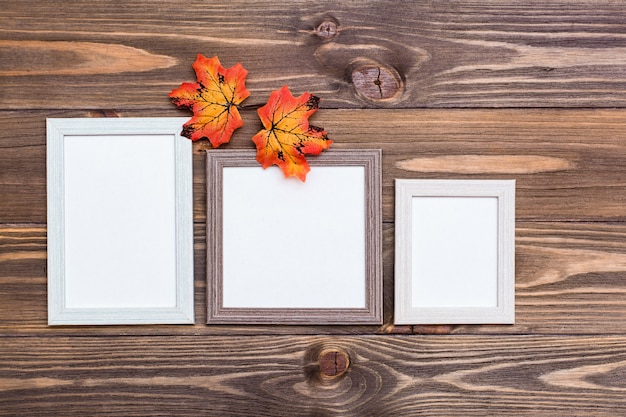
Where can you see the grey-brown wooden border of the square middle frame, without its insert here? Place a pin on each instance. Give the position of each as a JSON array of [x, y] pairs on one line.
[[373, 310]]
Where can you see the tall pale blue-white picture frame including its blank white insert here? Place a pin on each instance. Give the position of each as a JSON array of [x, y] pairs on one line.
[[120, 221]]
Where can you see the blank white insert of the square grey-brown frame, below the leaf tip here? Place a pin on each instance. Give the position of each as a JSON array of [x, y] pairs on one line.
[[264, 214]]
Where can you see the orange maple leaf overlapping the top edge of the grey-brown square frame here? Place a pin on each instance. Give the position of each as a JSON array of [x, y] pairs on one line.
[[287, 136]]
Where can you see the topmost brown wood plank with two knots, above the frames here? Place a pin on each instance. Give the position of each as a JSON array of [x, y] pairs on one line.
[[81, 54]]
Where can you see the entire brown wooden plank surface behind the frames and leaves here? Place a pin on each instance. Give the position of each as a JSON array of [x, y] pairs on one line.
[[533, 91]]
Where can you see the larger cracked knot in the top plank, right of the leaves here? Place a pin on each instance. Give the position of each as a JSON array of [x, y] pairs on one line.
[[376, 82]]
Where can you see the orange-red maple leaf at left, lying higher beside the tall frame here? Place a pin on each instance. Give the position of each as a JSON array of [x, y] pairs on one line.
[[213, 100]]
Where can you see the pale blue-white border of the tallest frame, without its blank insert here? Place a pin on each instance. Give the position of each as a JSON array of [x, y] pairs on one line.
[[58, 312]]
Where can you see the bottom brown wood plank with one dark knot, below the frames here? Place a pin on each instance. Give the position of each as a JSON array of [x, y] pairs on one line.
[[244, 376]]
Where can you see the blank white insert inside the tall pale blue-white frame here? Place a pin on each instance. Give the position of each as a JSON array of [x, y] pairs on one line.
[[120, 221]]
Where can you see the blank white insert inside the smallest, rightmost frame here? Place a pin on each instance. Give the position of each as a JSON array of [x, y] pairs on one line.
[[454, 251]]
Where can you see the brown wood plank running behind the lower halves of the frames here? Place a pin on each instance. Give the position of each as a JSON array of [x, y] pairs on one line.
[[570, 279]]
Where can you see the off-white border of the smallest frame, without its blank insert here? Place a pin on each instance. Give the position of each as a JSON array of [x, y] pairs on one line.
[[504, 312]]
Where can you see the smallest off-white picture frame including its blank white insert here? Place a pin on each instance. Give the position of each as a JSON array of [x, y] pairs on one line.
[[455, 252]]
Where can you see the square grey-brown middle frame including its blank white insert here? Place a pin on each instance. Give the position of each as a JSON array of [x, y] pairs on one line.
[[282, 251]]
